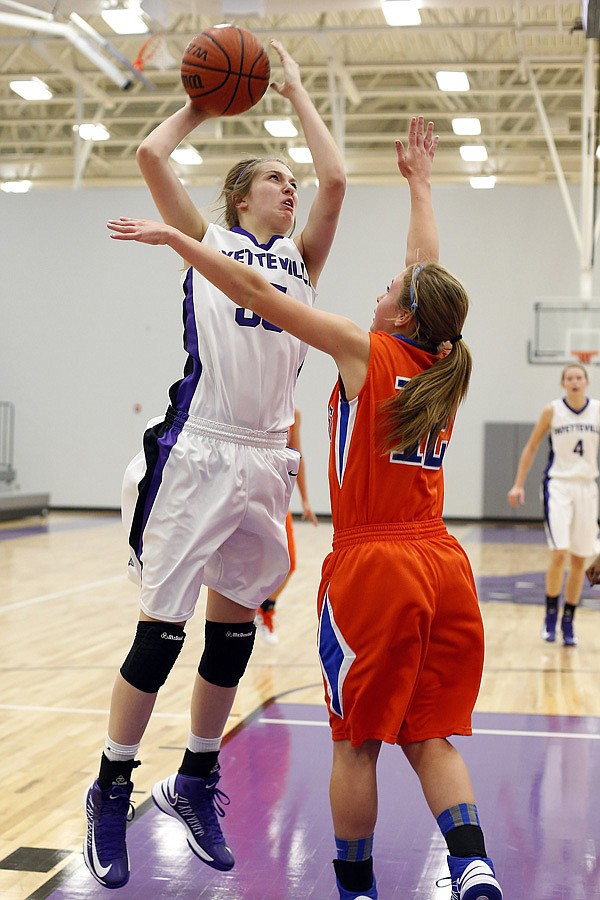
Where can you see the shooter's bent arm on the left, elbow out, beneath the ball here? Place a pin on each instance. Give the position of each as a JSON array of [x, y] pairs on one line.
[[172, 200]]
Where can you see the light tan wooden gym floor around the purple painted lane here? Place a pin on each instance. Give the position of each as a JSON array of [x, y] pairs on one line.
[[68, 613]]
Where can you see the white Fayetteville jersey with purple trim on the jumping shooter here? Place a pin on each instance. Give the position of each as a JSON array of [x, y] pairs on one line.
[[241, 370]]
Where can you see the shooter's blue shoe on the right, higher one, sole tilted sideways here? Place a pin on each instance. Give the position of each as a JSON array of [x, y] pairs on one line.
[[197, 803]]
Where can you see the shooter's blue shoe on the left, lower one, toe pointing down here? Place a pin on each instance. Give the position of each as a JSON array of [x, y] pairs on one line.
[[104, 850]]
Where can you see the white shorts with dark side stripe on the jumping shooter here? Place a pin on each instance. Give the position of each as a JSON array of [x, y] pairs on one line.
[[205, 503]]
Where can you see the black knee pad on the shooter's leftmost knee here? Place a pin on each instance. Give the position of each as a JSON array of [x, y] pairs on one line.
[[153, 653]]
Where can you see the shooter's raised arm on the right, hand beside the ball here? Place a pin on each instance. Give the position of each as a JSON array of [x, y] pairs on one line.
[[317, 236]]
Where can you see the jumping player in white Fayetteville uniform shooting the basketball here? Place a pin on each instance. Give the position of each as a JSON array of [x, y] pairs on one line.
[[206, 499]]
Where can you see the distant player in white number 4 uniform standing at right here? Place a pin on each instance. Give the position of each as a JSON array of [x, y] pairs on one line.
[[569, 493]]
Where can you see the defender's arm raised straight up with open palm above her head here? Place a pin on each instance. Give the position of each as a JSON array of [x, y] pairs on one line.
[[415, 162]]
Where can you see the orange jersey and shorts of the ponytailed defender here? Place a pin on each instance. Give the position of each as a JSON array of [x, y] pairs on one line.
[[397, 605]]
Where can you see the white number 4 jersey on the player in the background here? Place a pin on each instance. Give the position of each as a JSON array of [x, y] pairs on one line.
[[574, 437]]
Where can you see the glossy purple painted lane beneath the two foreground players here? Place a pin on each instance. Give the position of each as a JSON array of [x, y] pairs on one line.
[[534, 778]]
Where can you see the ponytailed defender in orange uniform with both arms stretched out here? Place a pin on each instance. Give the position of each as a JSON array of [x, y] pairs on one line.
[[400, 632]]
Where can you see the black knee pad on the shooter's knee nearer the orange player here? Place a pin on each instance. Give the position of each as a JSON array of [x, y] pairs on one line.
[[227, 649]]
